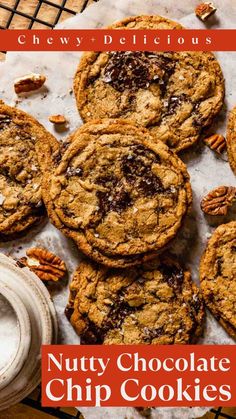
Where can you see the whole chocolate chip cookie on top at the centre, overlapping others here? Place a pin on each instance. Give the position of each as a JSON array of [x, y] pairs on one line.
[[120, 194]]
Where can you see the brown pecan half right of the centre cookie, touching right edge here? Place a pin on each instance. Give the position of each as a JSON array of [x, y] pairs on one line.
[[218, 201]]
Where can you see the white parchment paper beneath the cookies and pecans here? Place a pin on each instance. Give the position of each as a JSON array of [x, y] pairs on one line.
[[206, 169]]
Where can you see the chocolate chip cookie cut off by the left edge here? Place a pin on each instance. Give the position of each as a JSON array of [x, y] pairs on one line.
[[20, 176]]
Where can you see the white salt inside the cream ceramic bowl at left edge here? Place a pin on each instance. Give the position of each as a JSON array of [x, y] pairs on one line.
[[9, 333]]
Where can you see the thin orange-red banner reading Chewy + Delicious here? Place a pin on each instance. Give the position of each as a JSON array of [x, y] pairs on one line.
[[118, 40]]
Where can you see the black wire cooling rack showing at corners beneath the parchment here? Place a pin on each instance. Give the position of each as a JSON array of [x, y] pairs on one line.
[[46, 14]]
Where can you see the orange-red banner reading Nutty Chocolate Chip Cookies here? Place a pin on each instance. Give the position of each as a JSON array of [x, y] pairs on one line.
[[138, 375]]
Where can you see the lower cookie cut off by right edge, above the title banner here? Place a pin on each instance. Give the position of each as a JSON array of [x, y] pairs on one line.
[[218, 276]]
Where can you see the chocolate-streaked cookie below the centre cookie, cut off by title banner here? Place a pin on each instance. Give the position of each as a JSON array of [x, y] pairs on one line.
[[156, 303]]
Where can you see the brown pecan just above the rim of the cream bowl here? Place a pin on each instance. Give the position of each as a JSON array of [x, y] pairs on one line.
[[46, 265]]
